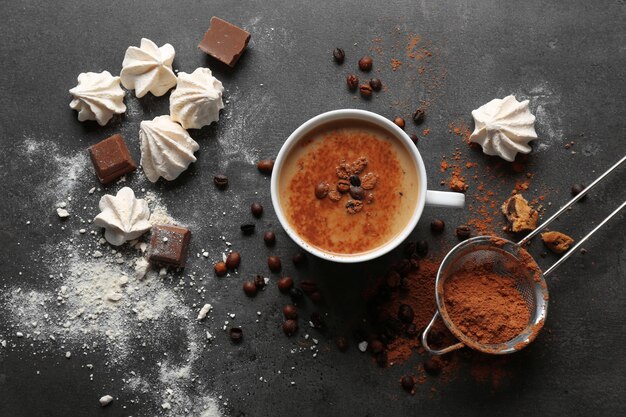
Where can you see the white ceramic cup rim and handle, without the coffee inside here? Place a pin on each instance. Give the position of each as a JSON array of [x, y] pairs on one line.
[[425, 197]]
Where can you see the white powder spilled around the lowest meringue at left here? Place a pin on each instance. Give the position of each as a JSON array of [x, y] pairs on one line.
[[94, 302]]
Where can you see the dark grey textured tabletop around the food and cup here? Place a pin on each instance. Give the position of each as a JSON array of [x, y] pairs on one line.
[[567, 58]]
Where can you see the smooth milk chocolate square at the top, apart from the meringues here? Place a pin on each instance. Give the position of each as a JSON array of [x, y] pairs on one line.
[[224, 42]]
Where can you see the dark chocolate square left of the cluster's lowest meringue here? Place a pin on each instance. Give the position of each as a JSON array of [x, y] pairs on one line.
[[111, 159]]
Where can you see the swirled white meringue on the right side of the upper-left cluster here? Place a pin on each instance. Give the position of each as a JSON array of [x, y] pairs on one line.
[[197, 100]]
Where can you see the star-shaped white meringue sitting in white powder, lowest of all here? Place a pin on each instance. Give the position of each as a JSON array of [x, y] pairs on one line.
[[124, 217]]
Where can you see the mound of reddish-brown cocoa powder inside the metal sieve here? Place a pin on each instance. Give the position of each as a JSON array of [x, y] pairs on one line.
[[484, 305]]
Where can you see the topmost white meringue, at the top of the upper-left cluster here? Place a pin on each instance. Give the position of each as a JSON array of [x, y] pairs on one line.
[[148, 68]]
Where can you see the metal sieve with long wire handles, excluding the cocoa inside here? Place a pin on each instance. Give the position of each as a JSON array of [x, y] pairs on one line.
[[508, 259]]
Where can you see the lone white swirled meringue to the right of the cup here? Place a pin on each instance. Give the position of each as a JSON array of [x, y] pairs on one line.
[[504, 127]]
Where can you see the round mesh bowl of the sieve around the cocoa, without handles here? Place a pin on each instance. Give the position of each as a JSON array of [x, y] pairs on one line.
[[507, 260]]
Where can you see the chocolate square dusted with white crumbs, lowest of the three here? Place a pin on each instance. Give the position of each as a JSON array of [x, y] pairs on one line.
[[168, 245]]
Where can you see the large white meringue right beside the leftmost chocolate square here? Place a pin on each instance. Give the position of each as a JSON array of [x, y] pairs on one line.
[[166, 148]]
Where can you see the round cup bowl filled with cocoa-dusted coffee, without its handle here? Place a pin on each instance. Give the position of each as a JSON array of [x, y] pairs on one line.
[[312, 154]]
